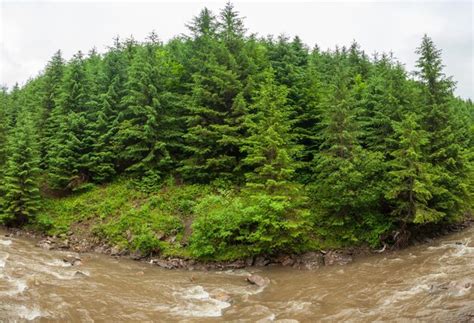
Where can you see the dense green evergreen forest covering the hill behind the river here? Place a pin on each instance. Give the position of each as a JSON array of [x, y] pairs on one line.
[[318, 142]]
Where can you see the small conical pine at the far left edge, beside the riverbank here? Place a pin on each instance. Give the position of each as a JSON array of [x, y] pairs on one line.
[[20, 185]]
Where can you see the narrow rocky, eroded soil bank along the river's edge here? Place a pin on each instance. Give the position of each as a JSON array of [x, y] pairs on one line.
[[307, 261]]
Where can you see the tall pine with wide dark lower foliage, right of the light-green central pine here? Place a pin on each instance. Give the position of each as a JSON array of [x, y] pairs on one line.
[[345, 187]]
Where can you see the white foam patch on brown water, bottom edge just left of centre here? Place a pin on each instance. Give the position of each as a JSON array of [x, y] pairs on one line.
[[196, 302]]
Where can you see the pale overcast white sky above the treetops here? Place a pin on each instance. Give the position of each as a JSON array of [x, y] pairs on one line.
[[31, 31]]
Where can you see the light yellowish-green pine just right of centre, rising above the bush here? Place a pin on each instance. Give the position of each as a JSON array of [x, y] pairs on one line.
[[270, 148]]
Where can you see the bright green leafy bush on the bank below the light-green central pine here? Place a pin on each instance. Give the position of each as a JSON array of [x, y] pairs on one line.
[[230, 227]]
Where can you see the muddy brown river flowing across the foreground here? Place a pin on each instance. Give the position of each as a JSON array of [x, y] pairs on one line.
[[37, 285]]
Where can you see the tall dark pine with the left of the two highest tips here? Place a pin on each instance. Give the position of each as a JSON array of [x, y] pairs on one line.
[[211, 112]]
